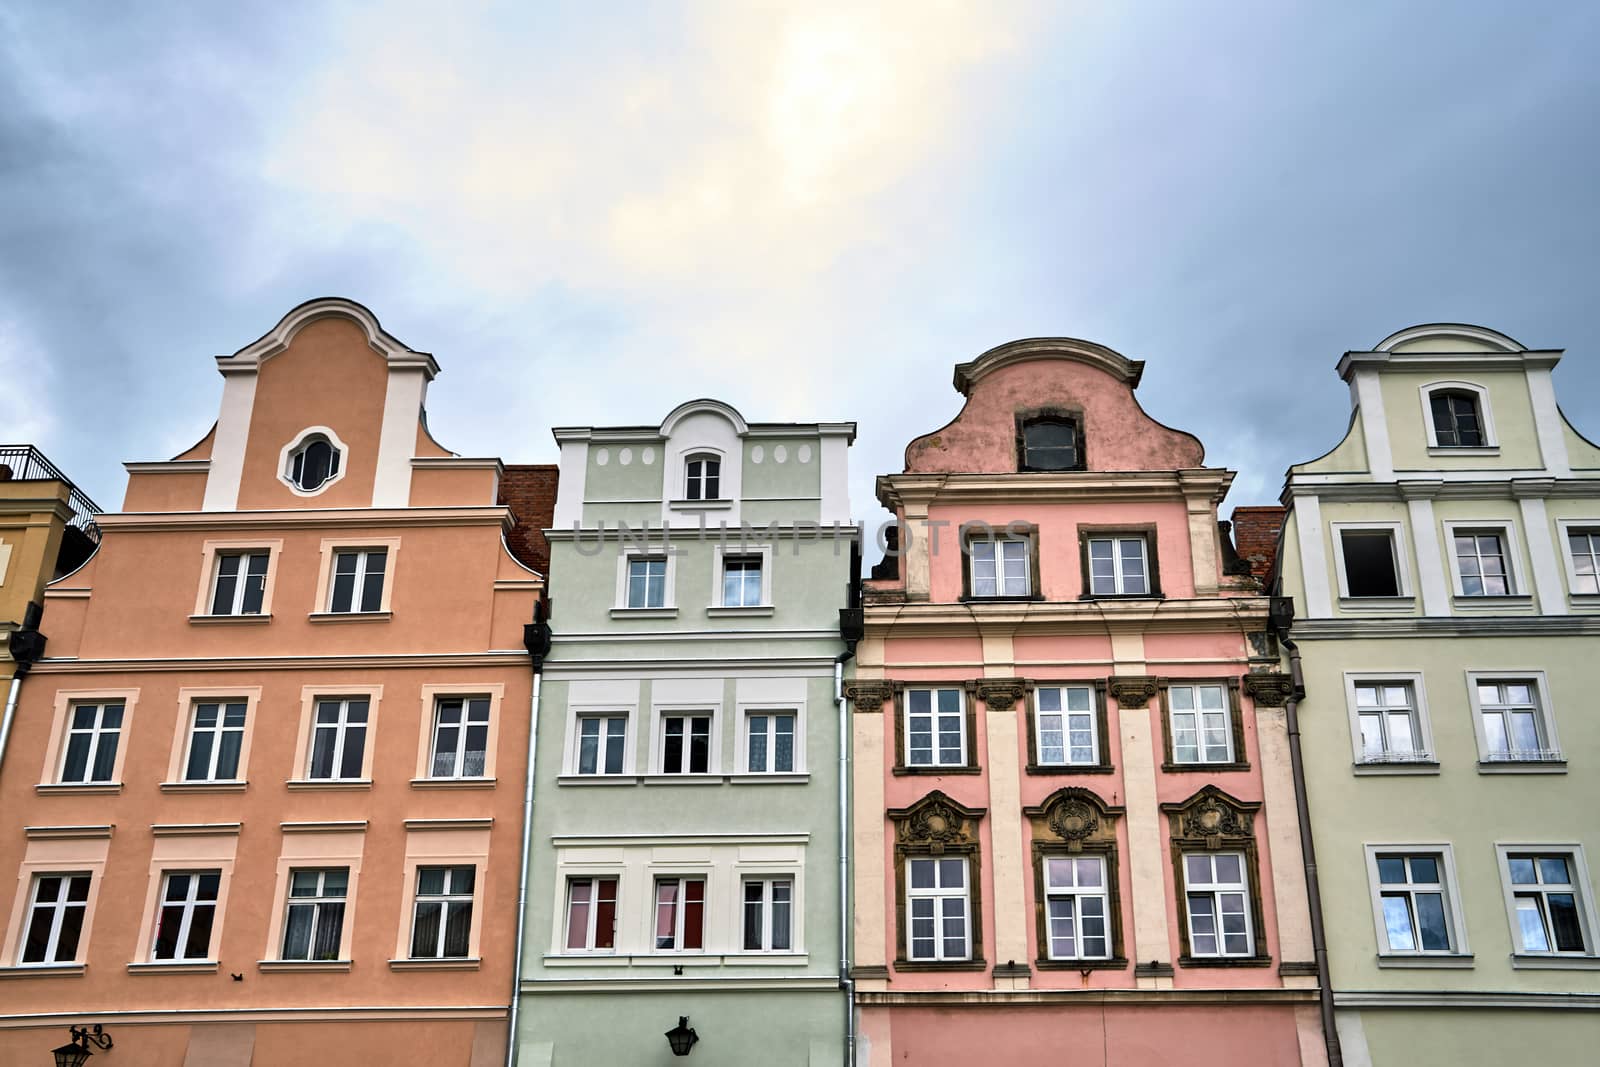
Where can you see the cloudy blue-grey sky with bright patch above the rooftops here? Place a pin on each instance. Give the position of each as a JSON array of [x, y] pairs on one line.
[[814, 210]]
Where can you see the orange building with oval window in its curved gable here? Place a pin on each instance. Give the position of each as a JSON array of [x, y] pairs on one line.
[[265, 793]]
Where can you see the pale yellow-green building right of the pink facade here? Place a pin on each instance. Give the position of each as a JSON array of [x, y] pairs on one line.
[[1442, 565]]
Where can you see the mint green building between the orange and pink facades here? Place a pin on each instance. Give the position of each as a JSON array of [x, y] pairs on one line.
[[686, 857]]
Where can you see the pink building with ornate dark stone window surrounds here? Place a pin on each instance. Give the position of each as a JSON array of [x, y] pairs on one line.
[[1073, 805]]
